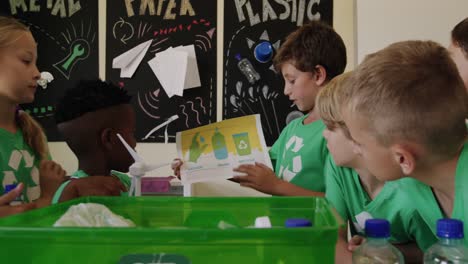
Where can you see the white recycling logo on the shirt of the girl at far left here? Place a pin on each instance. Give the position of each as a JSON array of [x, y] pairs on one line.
[[22, 170]]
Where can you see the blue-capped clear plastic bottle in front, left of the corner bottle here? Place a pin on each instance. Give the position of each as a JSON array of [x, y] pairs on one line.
[[377, 249]]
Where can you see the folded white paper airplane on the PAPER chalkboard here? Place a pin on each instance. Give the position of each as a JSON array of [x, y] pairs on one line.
[[129, 61]]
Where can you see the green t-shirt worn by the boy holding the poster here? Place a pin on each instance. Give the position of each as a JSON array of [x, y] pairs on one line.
[[299, 154]]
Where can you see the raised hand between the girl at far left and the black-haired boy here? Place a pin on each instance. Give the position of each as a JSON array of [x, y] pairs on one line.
[[51, 176]]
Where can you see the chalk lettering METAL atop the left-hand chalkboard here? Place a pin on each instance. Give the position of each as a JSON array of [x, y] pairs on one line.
[[55, 6]]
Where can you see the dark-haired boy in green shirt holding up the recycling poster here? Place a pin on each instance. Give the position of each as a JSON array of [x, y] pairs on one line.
[[309, 58]]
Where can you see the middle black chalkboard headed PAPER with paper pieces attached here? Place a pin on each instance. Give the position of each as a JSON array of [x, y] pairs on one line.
[[165, 24]]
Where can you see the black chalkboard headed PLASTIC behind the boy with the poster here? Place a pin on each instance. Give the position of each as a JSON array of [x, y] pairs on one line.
[[247, 24]]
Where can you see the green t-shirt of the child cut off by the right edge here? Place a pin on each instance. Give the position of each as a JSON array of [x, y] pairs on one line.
[[460, 210]]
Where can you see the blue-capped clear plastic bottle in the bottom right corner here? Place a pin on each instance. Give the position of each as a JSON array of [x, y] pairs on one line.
[[450, 248]]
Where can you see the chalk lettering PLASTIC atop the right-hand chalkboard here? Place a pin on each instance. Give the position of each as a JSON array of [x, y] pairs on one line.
[[293, 9]]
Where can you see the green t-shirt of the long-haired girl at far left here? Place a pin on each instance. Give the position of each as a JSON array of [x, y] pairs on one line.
[[19, 163]]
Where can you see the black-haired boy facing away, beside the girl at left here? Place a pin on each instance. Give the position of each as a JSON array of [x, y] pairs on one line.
[[89, 117]]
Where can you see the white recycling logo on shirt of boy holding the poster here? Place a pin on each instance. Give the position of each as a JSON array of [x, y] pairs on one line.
[[292, 160]]
